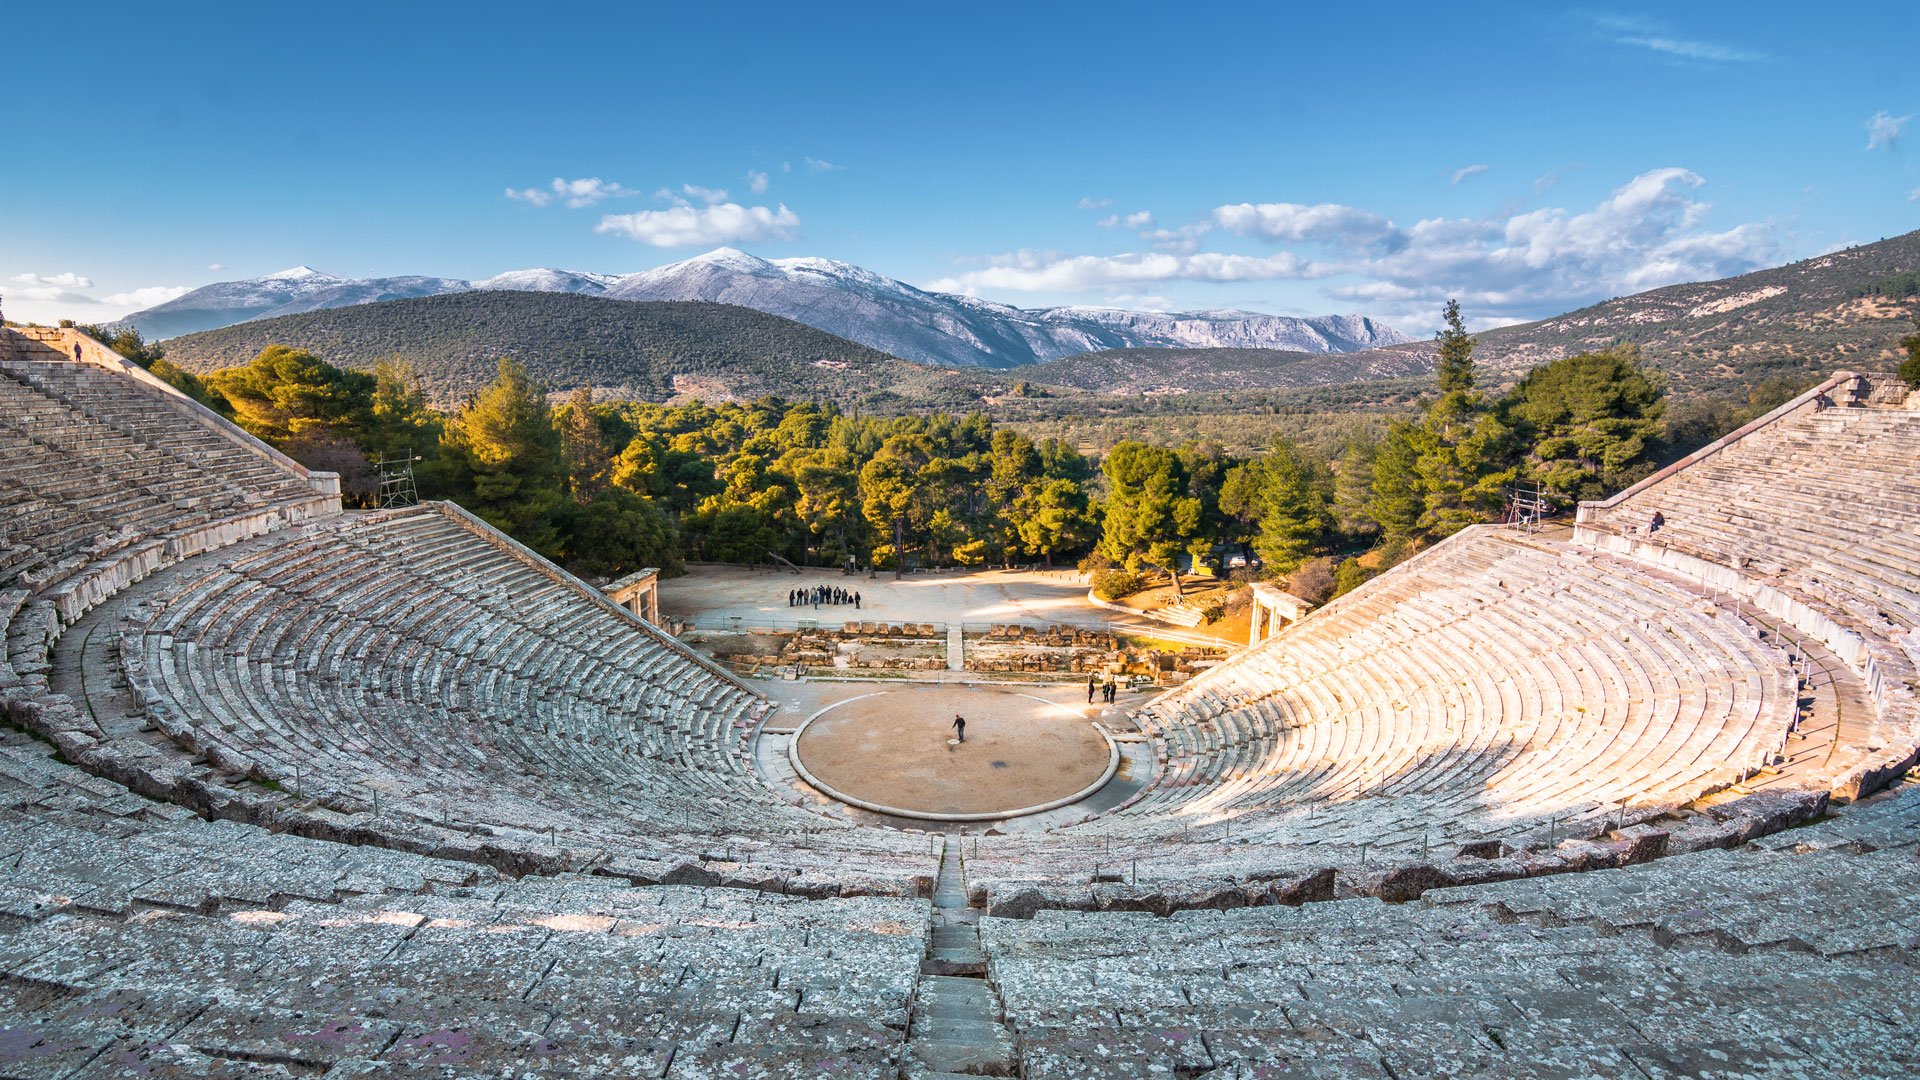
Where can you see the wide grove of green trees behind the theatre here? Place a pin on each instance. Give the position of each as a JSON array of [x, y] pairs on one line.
[[612, 485]]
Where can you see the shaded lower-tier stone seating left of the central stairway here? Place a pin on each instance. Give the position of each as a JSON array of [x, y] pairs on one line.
[[404, 658]]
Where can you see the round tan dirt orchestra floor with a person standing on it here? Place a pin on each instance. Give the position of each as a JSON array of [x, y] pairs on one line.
[[892, 749]]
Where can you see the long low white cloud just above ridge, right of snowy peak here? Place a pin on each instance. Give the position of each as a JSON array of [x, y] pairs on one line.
[[1047, 272]]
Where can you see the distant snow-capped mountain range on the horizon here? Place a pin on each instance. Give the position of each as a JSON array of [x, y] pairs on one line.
[[842, 299]]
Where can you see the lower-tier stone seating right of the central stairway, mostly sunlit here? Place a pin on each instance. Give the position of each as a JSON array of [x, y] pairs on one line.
[[1499, 689]]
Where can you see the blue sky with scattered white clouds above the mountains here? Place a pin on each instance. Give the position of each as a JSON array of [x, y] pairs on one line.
[[1353, 159]]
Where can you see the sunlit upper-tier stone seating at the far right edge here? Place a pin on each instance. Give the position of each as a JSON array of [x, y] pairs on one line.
[[1813, 516]]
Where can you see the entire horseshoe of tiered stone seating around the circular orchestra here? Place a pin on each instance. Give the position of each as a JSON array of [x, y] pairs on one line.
[[291, 793]]
